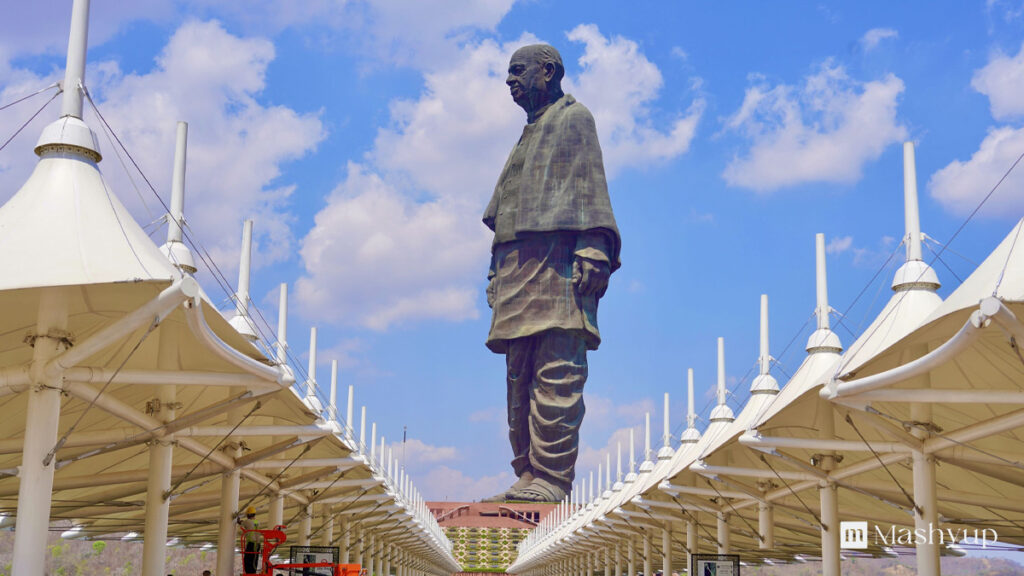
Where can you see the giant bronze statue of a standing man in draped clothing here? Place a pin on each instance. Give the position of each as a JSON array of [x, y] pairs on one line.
[[556, 246]]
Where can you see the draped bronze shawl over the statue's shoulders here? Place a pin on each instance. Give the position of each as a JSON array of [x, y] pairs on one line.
[[563, 185]]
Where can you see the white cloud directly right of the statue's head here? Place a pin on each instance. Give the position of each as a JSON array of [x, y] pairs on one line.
[[619, 85]]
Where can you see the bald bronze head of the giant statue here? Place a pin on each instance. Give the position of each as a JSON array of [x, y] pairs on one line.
[[535, 77]]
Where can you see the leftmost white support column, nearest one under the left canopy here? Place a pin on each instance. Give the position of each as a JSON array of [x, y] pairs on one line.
[[42, 419]]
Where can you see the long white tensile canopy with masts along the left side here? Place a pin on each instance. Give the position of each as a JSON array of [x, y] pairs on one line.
[[133, 412]]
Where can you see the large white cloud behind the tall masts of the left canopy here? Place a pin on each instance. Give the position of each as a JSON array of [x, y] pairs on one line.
[[237, 145]]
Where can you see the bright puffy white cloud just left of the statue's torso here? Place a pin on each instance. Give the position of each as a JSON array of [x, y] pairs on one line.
[[376, 258]]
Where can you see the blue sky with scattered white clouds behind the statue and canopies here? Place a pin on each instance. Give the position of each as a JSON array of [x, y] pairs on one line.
[[365, 139]]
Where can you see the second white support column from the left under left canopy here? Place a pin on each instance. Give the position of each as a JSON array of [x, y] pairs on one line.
[[159, 480]]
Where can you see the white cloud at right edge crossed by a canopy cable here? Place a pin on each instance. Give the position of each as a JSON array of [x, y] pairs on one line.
[[962, 185]]
